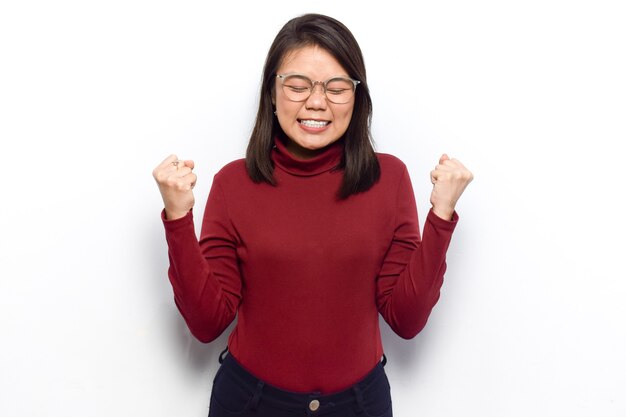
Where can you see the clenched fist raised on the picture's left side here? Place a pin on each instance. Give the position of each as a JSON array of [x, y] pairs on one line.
[[176, 182]]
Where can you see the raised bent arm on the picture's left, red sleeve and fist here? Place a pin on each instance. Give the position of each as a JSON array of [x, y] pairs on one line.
[[204, 277]]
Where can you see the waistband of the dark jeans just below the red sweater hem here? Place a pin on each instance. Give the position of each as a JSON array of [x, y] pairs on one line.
[[313, 402]]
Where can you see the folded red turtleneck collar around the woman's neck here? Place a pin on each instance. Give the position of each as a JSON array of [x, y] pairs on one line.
[[326, 160]]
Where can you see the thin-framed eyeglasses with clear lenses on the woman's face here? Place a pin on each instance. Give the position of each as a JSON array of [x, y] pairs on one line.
[[298, 87]]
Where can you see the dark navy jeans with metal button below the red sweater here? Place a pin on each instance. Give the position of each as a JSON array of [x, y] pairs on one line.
[[236, 392]]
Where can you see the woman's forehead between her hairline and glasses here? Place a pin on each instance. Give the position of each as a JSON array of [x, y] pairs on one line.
[[313, 61]]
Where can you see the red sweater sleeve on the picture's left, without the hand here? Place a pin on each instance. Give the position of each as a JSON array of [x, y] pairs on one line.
[[204, 274]]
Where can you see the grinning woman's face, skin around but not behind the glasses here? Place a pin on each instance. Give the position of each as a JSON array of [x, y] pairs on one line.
[[314, 123]]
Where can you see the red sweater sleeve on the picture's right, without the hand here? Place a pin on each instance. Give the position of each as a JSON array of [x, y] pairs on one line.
[[411, 276]]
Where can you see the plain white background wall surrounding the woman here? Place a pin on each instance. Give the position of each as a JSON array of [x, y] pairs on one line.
[[531, 95]]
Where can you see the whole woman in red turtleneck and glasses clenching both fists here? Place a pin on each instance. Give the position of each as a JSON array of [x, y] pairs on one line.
[[307, 240]]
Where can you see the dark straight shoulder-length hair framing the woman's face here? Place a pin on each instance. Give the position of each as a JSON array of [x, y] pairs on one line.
[[359, 162]]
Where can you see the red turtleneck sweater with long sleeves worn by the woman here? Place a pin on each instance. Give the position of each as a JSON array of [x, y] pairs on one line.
[[305, 273]]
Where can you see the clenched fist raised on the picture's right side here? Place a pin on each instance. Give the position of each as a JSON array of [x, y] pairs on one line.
[[449, 180]]
